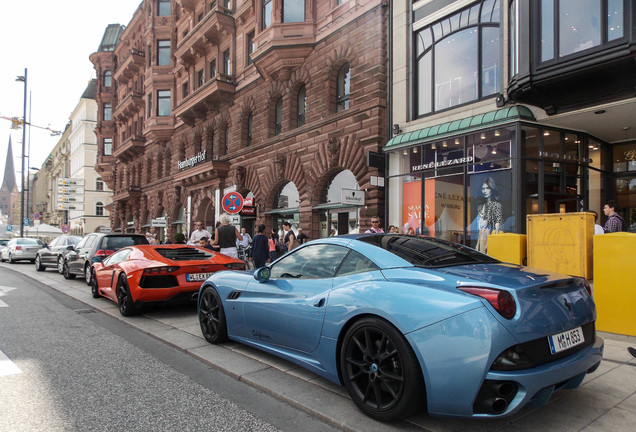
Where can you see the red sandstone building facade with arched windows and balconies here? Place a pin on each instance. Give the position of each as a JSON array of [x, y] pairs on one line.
[[228, 73]]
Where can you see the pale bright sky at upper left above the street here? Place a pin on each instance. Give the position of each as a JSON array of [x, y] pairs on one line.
[[53, 40]]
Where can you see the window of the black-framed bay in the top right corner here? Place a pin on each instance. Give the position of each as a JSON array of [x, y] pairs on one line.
[[572, 26]]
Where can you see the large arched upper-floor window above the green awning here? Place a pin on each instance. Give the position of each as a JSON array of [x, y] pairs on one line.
[[448, 53]]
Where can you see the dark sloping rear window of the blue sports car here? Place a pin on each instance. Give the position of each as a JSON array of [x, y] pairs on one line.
[[428, 251]]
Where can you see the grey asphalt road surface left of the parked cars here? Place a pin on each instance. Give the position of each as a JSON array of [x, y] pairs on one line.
[[82, 370]]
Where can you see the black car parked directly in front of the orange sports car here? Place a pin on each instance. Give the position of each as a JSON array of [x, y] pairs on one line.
[[78, 260]]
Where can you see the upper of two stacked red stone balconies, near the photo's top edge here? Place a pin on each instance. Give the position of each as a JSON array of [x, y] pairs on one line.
[[212, 28]]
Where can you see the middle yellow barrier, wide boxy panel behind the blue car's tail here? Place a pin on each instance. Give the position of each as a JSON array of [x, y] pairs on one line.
[[561, 242]]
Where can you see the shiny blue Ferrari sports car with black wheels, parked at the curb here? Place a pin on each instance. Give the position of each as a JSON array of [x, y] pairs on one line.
[[411, 323]]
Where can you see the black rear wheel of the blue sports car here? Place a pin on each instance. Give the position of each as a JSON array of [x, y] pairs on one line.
[[380, 371]]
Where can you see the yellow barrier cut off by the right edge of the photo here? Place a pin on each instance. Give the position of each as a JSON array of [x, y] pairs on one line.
[[615, 282]]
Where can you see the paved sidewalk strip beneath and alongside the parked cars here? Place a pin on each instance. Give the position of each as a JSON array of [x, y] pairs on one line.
[[605, 402]]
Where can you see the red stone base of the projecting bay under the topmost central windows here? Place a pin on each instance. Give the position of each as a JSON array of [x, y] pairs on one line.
[[283, 48]]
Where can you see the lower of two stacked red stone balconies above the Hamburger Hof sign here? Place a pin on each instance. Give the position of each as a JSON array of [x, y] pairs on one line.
[[206, 98]]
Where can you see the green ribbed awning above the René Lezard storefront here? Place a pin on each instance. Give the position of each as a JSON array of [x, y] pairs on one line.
[[462, 126]]
